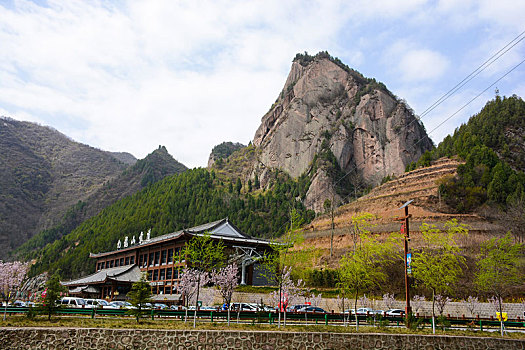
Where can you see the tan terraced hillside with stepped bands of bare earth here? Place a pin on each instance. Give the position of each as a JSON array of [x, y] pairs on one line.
[[421, 186]]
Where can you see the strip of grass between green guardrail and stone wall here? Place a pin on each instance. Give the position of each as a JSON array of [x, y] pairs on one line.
[[178, 324]]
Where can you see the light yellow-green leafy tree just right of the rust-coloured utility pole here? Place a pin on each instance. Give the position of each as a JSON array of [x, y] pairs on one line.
[[439, 265]]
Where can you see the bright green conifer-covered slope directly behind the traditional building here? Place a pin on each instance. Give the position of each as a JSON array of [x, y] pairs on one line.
[[179, 201]]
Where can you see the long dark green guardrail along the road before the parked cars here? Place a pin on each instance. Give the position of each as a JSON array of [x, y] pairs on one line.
[[271, 317]]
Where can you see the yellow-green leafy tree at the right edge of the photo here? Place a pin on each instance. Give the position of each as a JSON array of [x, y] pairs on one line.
[[500, 268]]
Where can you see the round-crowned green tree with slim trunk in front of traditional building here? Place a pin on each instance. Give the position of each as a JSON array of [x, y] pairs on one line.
[[203, 255]]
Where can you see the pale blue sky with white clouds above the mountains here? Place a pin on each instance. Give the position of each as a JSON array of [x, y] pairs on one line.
[[132, 75]]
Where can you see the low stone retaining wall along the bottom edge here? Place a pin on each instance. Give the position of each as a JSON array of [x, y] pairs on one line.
[[90, 338]]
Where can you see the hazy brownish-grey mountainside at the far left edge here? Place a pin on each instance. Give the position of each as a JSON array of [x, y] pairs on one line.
[[42, 174]]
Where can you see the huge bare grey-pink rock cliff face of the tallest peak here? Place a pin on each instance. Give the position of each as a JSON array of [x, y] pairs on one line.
[[325, 105]]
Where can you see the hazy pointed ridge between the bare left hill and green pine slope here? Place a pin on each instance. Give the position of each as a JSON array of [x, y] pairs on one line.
[[154, 167]]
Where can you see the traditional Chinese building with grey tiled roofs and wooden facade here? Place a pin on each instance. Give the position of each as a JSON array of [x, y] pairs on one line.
[[160, 257]]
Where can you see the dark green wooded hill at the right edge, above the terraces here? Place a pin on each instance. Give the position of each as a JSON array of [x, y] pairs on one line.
[[492, 144]]
